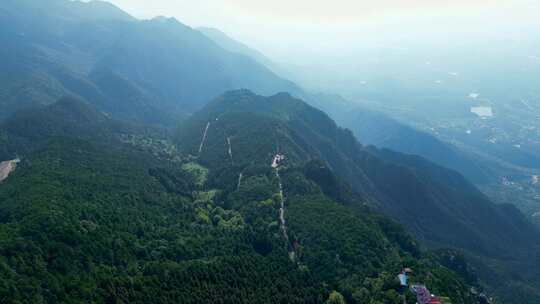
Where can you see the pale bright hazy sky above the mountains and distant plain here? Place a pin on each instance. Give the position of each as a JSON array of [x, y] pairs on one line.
[[295, 30]]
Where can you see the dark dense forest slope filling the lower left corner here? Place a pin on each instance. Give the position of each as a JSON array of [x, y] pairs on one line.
[[96, 226]]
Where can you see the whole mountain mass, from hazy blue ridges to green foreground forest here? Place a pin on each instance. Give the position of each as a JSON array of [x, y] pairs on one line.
[[106, 207]]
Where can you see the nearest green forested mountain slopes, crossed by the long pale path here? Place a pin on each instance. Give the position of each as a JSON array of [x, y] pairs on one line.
[[101, 212]]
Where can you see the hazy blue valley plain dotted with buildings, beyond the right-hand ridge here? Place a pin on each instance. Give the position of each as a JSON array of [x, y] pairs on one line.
[[506, 142]]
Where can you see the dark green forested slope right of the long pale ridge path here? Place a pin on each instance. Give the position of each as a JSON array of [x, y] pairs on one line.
[[347, 245]]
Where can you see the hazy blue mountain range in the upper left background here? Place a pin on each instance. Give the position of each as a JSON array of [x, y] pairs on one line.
[[153, 71]]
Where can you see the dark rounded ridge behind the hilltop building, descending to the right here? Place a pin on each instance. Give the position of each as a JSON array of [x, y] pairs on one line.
[[304, 133]]
